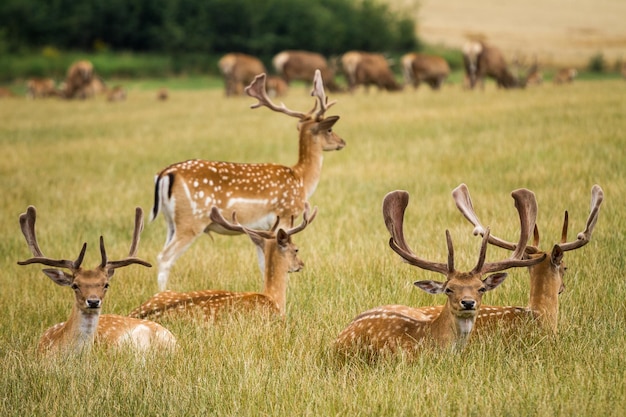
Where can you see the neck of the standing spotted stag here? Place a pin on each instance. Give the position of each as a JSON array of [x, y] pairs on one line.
[[310, 159]]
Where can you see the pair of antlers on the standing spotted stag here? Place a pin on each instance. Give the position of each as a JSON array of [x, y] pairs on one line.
[[257, 90]]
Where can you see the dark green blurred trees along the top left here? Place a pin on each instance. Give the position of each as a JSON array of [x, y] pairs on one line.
[[205, 26]]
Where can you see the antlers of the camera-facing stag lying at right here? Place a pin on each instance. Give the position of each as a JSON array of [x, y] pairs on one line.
[[394, 205]]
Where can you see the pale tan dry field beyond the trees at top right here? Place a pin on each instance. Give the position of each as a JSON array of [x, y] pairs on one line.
[[557, 32]]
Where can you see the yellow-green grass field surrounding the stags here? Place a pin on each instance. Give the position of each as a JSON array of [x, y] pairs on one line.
[[86, 165]]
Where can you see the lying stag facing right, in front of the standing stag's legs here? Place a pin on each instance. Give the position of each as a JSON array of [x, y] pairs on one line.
[[281, 258]]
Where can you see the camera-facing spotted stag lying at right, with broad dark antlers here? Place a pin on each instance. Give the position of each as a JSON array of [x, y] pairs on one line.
[[380, 329]]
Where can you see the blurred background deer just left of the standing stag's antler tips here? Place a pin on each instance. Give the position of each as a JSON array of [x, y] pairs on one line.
[[238, 70]]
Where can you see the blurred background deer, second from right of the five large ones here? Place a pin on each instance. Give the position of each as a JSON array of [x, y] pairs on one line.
[[418, 68]]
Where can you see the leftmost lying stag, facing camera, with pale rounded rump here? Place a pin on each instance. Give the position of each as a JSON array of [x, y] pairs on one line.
[[85, 324]]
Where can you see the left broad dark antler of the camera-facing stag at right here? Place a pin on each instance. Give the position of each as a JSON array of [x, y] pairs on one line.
[[394, 206]]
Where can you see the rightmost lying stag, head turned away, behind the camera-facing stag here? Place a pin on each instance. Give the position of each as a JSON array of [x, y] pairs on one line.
[[546, 278]]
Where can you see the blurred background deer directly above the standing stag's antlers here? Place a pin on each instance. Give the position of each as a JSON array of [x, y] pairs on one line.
[[301, 65]]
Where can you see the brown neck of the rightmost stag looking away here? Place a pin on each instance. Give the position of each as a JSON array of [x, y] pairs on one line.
[[545, 284]]
